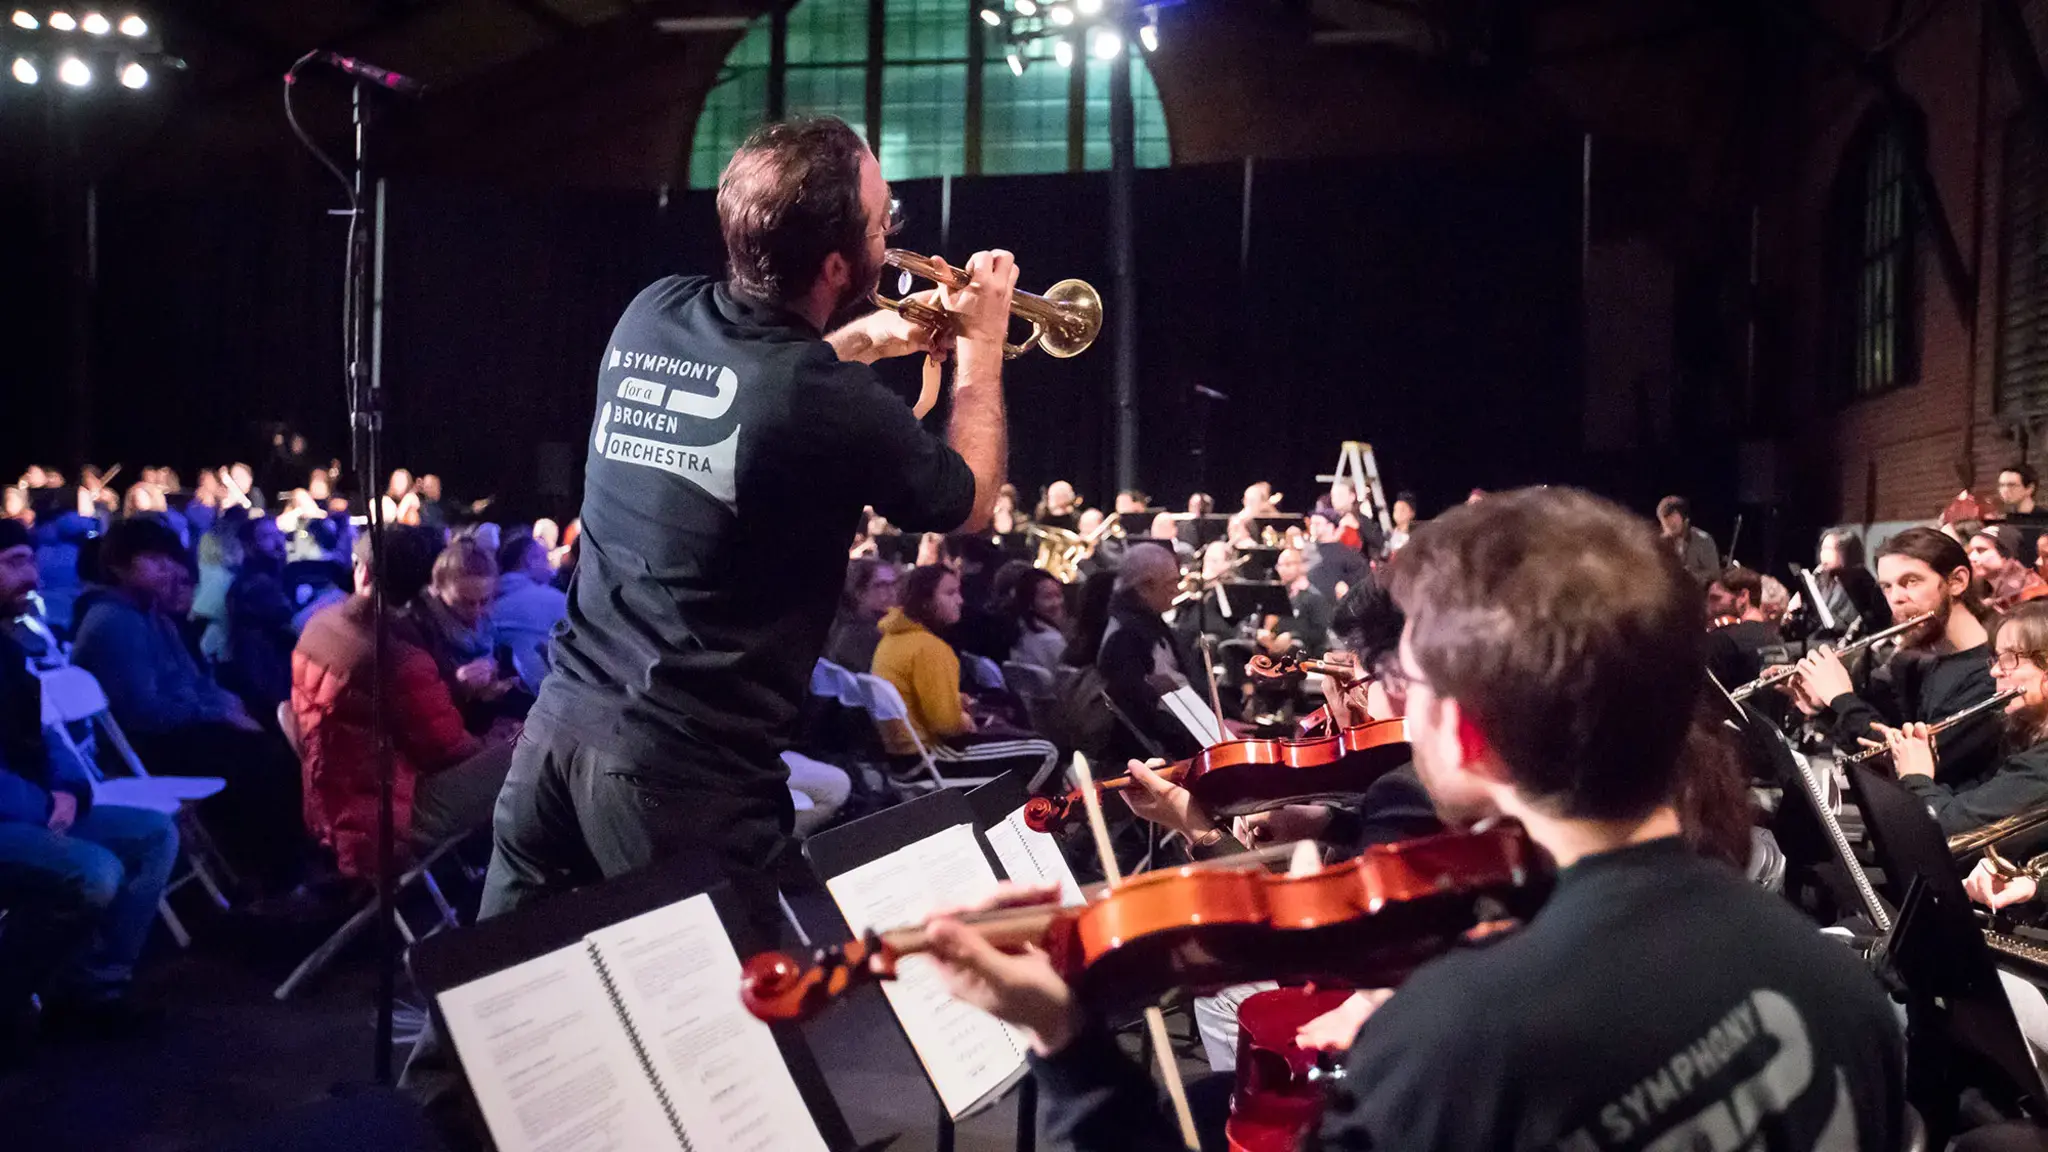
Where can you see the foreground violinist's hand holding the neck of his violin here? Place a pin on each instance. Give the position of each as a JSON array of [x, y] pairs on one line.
[[1021, 989]]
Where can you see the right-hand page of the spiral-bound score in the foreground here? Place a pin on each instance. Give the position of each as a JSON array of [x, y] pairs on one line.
[[679, 981]]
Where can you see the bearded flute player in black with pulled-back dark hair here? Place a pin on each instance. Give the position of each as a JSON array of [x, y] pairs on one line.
[[1940, 669]]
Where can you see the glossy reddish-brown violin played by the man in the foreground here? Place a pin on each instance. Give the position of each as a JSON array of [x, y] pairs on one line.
[[1371, 921]]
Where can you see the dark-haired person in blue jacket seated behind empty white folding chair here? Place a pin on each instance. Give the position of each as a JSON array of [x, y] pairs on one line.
[[175, 716]]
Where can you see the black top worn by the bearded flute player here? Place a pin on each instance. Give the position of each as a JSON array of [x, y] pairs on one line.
[[1920, 688]]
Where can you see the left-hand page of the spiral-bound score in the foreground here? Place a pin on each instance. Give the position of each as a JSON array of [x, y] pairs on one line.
[[550, 1061]]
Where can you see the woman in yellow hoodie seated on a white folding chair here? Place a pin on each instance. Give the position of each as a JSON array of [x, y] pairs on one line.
[[927, 671]]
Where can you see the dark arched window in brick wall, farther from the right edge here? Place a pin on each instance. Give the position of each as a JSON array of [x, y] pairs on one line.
[[1875, 290]]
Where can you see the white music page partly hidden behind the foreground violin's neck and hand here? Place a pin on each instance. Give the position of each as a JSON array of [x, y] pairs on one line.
[[966, 1053]]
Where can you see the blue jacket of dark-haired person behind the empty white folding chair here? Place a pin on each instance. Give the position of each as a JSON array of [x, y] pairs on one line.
[[151, 677]]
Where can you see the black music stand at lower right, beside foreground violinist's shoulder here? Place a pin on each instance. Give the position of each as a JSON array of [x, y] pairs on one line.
[[1955, 1001]]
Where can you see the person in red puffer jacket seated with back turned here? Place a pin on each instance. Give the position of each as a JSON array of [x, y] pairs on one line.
[[445, 780]]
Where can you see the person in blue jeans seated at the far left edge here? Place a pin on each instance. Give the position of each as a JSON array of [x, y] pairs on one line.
[[79, 880]]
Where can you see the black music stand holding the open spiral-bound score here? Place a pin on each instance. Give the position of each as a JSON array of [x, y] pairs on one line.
[[456, 958]]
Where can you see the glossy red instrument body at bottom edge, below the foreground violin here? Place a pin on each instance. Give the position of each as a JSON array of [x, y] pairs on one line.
[[1277, 1096]]
